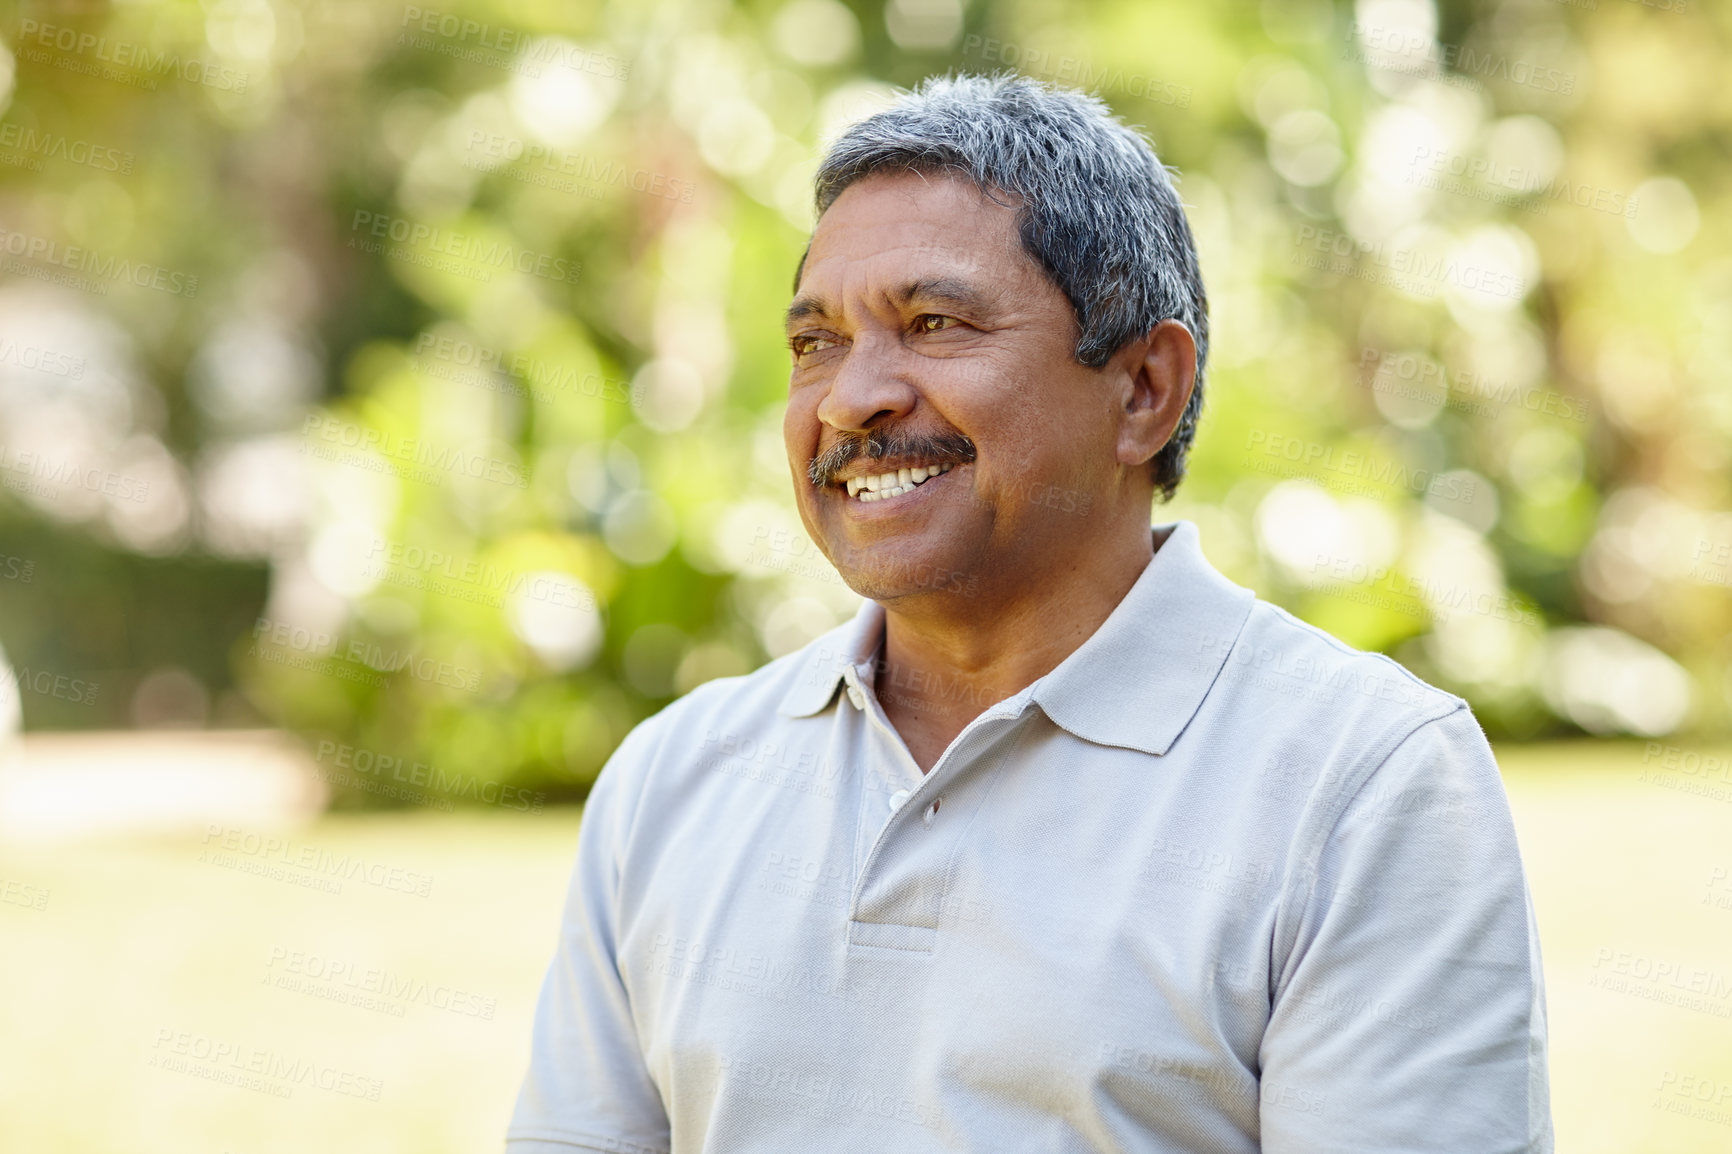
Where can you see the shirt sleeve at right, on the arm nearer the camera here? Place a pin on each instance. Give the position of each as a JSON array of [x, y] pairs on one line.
[[1411, 1013]]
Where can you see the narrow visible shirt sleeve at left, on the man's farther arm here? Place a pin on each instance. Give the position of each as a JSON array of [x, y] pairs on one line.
[[588, 1087]]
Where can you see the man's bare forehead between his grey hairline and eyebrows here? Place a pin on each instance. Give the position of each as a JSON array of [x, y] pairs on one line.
[[908, 226]]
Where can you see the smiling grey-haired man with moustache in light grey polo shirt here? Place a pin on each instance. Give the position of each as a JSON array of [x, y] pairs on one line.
[[1064, 843]]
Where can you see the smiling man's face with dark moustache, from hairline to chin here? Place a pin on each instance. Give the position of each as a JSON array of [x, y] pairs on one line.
[[926, 335]]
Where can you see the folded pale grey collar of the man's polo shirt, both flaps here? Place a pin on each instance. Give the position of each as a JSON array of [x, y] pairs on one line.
[[1135, 684]]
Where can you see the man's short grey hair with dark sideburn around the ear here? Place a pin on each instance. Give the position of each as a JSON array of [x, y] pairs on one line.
[[1097, 209]]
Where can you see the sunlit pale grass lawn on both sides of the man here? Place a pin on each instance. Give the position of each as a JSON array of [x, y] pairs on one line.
[[167, 1002]]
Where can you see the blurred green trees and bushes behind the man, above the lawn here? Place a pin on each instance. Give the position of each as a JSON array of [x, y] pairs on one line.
[[462, 323]]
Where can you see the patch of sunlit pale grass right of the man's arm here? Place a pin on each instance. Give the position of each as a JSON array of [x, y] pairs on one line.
[[1632, 872]]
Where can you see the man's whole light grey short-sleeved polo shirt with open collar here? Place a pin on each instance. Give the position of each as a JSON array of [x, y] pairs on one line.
[[1217, 883]]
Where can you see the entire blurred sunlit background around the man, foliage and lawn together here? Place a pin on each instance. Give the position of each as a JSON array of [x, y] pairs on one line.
[[391, 410]]
